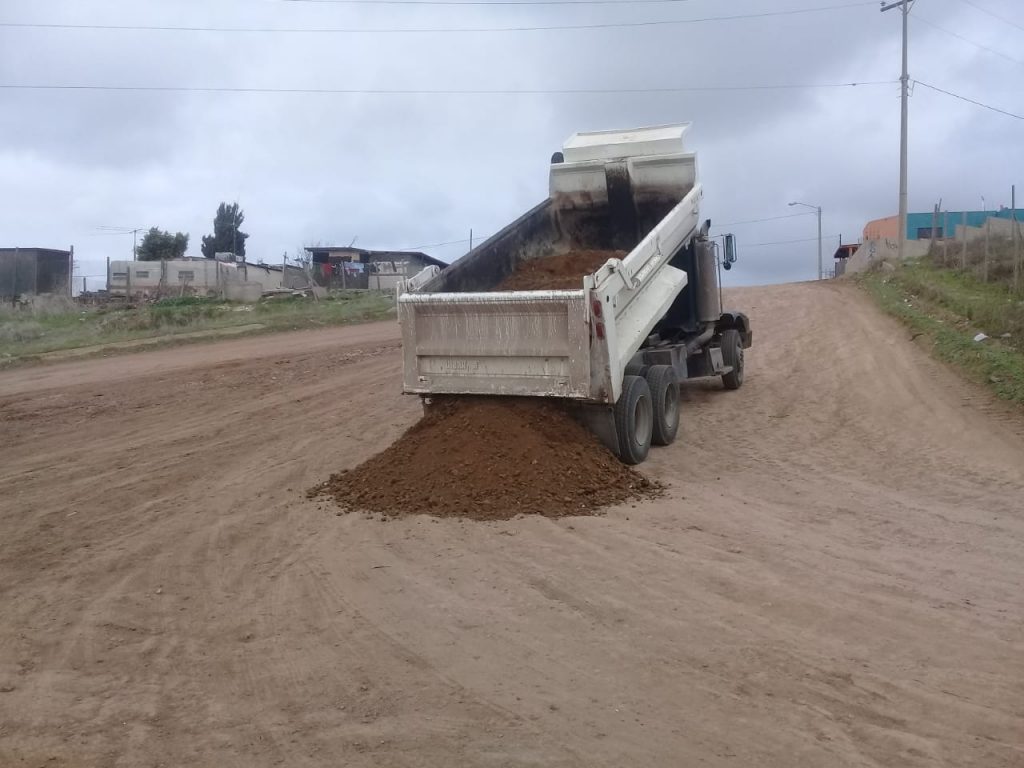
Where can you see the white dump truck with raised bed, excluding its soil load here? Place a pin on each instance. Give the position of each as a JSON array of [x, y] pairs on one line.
[[620, 344]]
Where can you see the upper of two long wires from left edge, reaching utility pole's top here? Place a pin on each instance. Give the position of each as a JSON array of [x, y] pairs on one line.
[[439, 30]]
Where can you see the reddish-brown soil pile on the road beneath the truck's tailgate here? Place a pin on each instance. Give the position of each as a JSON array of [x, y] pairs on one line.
[[490, 459]]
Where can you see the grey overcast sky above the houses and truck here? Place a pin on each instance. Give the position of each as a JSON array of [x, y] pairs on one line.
[[404, 172]]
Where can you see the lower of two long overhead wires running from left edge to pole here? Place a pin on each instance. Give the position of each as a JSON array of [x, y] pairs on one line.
[[435, 93]]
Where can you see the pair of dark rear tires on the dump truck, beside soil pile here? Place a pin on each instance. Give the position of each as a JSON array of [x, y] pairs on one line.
[[648, 413]]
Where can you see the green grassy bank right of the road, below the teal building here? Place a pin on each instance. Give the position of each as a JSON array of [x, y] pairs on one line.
[[949, 309]]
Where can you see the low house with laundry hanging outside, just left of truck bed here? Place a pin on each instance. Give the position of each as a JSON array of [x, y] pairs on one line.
[[342, 267]]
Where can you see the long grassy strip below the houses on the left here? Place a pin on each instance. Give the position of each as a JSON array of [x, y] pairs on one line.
[[25, 335]]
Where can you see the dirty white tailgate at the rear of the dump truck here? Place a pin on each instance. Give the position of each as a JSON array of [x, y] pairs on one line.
[[514, 344]]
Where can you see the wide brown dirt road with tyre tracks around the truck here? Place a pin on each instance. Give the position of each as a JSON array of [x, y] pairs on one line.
[[835, 578]]
